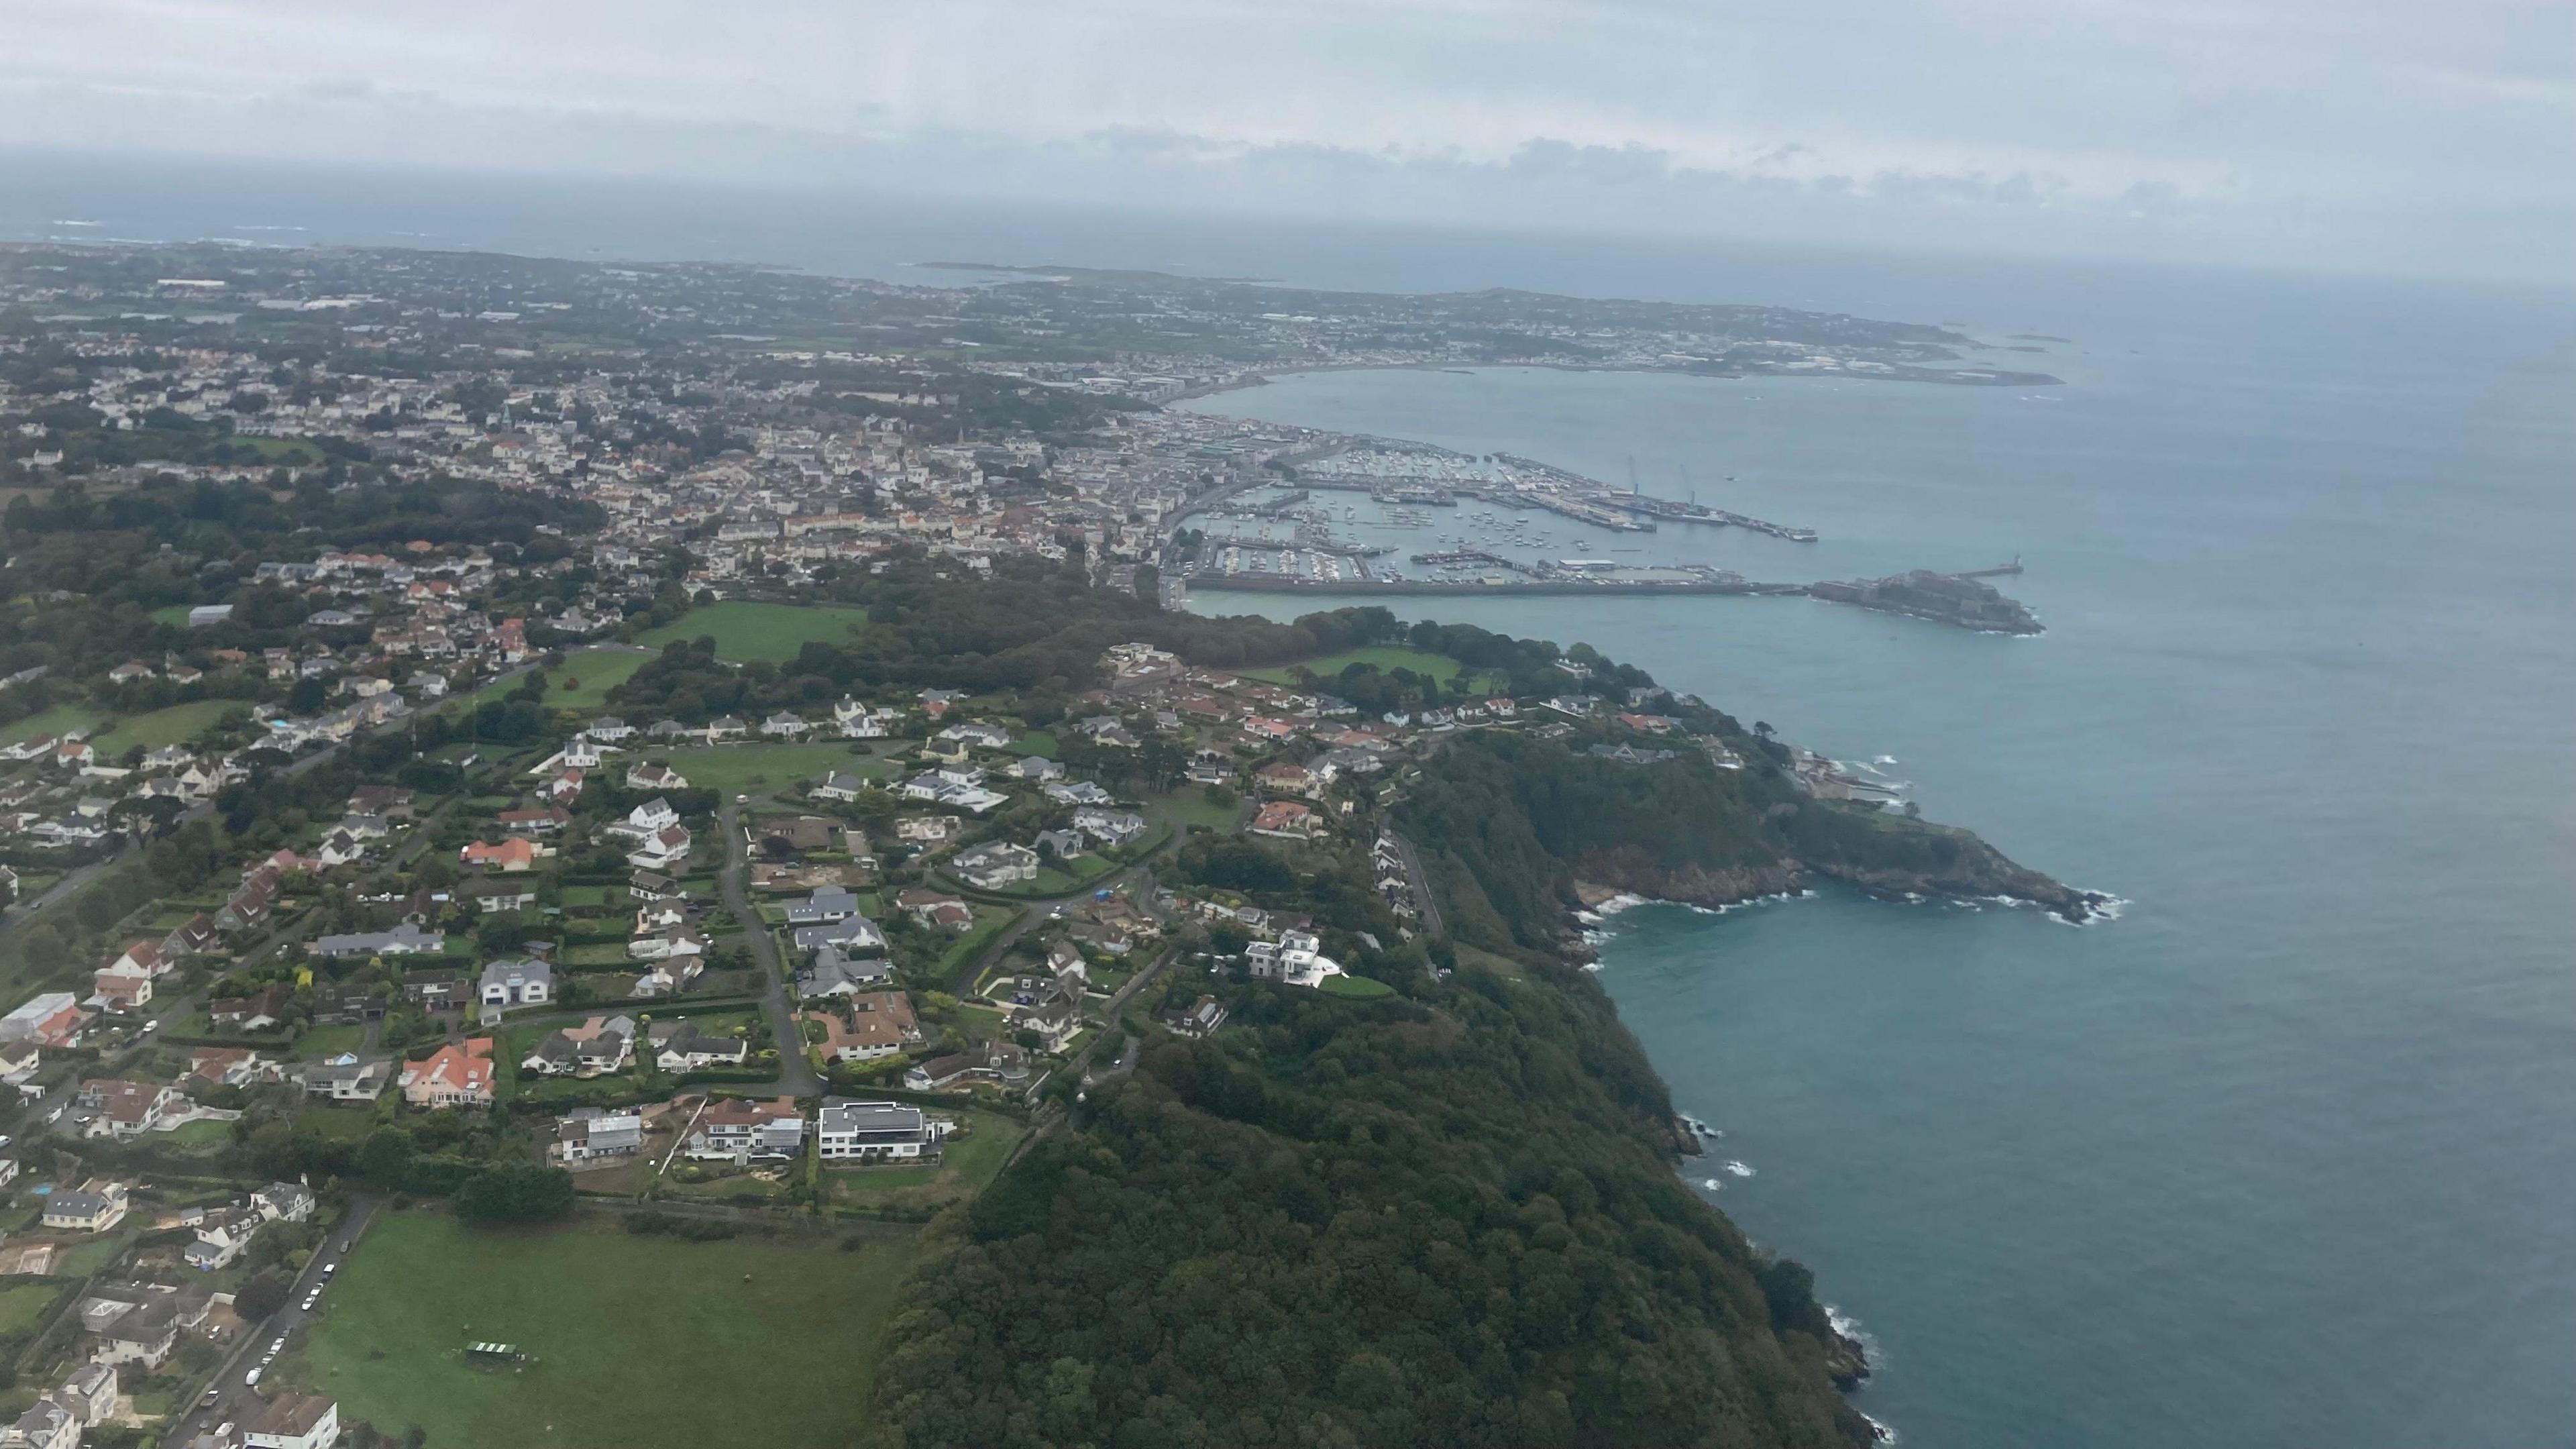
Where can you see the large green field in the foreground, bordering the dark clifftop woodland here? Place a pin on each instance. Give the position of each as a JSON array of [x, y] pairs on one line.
[[625, 1337]]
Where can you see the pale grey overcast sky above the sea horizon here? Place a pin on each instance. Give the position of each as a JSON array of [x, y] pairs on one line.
[[2340, 135]]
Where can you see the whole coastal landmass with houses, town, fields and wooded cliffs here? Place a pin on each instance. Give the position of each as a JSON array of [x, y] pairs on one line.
[[697, 767]]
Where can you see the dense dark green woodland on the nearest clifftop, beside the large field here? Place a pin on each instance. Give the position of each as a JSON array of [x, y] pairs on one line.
[[1413, 1223]]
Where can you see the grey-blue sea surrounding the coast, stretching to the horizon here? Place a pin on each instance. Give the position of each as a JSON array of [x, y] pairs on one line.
[[2286, 1154]]
